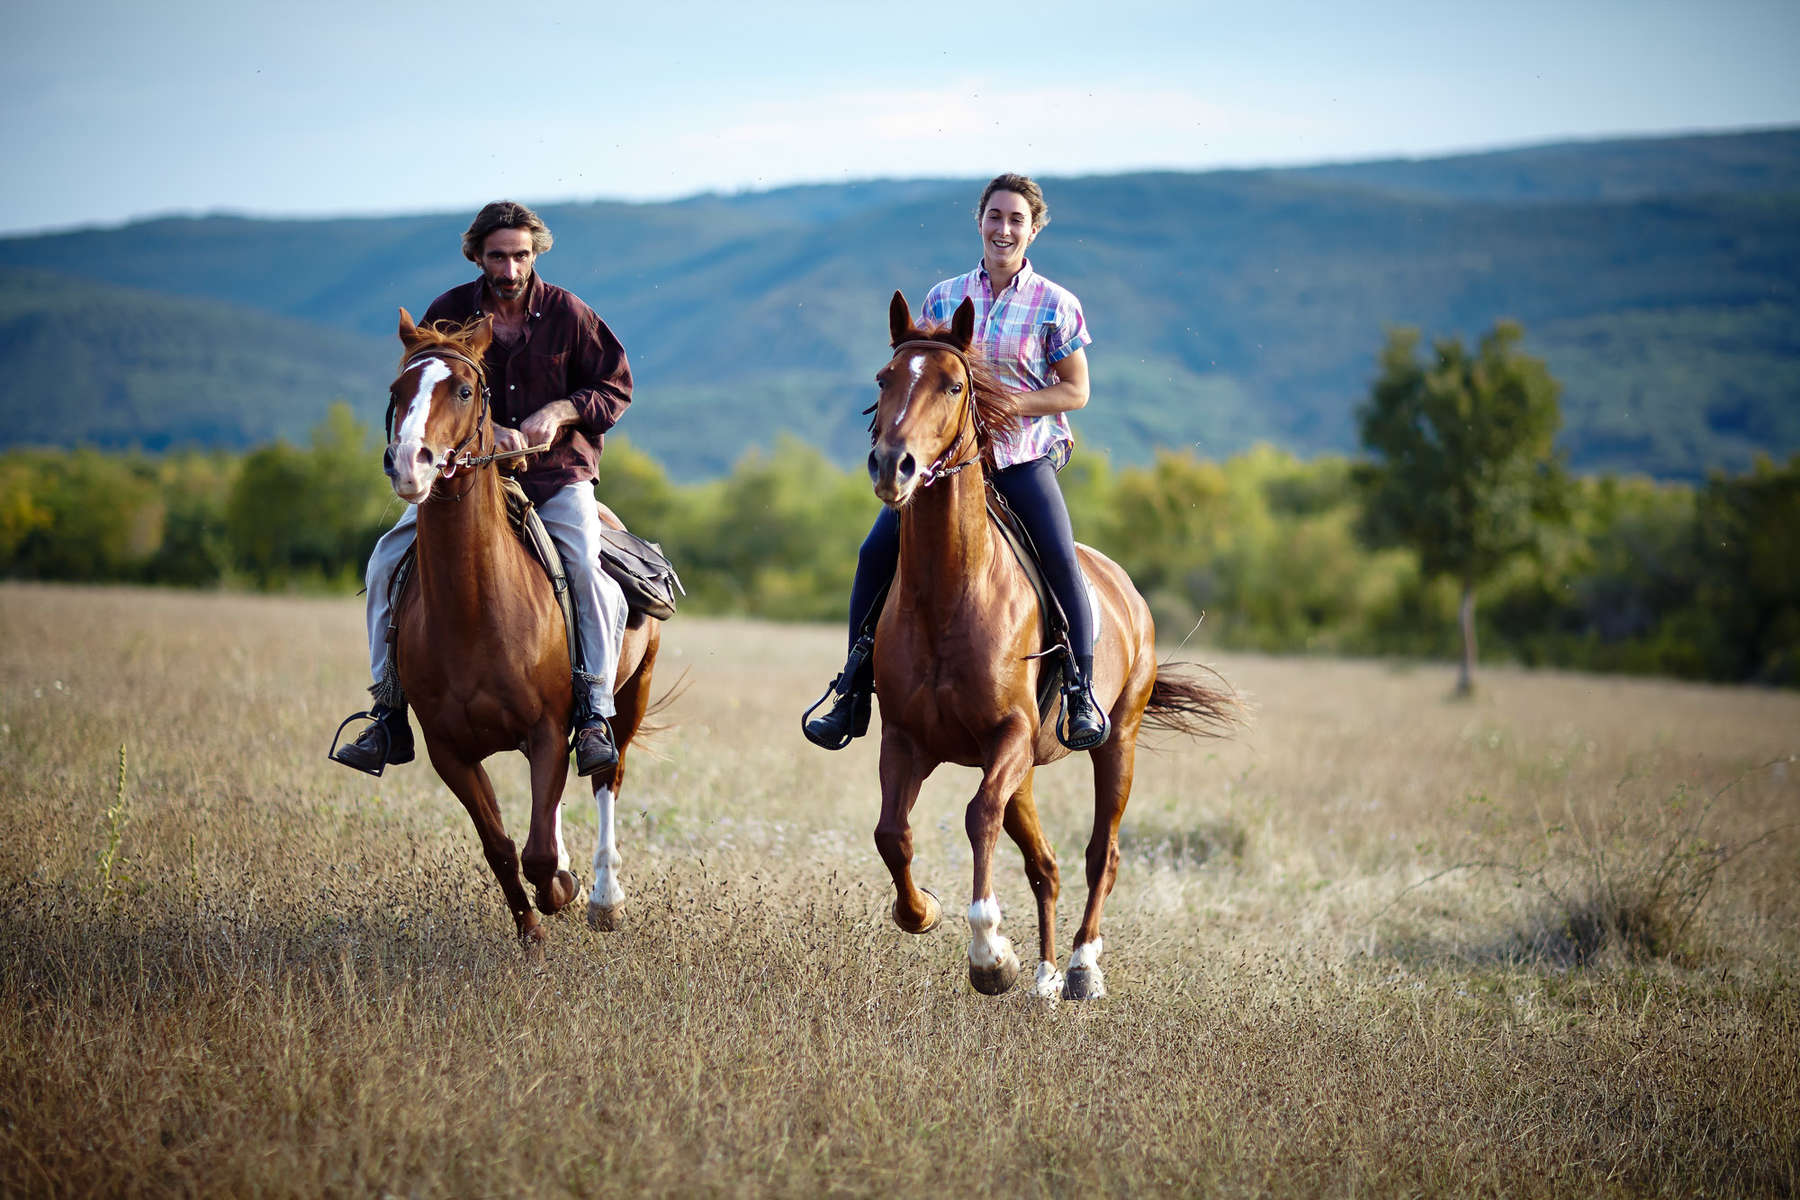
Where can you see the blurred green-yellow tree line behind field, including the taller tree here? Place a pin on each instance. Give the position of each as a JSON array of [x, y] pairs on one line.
[[1261, 551]]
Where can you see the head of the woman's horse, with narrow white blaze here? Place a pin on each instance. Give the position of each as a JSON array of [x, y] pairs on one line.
[[928, 422]]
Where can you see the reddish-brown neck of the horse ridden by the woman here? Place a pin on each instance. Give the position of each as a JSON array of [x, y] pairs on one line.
[[946, 542]]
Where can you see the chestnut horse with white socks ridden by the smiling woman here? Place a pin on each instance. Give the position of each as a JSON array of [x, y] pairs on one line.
[[957, 670]]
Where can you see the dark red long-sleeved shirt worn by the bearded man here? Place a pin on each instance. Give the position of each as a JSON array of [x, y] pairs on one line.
[[566, 354]]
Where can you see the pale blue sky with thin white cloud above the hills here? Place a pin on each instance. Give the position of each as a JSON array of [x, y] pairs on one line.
[[125, 111]]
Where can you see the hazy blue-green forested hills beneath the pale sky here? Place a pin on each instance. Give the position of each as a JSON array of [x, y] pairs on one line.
[[1659, 278]]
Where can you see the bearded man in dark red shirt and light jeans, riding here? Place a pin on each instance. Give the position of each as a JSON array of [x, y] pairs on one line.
[[557, 377]]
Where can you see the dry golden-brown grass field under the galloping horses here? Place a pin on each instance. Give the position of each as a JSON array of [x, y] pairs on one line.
[[1542, 944]]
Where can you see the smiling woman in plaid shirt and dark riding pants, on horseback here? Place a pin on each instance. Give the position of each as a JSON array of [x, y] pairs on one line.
[[1034, 337]]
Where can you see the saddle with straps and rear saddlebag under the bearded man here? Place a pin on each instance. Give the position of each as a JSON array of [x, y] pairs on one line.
[[640, 568]]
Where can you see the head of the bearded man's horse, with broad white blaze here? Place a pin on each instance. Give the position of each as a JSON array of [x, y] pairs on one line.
[[438, 404]]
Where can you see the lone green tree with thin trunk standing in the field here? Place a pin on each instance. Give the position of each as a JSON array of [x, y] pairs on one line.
[[1464, 470]]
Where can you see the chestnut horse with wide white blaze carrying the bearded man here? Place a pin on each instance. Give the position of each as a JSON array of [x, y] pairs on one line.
[[481, 649]]
